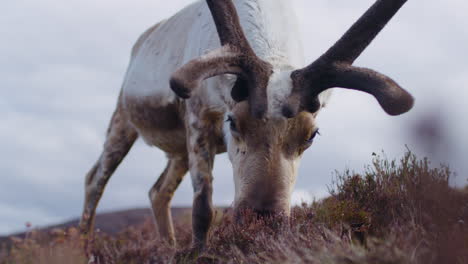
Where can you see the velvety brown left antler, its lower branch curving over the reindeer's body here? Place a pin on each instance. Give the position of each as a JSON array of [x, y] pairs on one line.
[[235, 57]]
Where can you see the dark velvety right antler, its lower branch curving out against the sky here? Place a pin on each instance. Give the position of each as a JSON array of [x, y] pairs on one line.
[[333, 69]]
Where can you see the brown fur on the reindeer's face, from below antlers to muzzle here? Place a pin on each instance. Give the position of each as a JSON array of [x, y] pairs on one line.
[[267, 151]]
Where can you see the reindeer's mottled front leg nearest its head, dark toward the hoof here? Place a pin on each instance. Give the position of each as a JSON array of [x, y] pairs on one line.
[[202, 150]]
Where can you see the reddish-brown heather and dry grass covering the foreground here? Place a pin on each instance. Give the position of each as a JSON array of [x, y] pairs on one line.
[[397, 212]]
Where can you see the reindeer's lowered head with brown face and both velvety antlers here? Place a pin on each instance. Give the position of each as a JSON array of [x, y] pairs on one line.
[[264, 144]]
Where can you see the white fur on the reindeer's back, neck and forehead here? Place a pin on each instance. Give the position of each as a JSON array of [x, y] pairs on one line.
[[269, 25]]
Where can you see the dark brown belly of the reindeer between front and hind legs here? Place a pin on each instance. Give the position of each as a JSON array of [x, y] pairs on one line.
[[160, 125]]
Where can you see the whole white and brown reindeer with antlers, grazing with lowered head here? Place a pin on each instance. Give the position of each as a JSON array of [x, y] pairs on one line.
[[195, 89]]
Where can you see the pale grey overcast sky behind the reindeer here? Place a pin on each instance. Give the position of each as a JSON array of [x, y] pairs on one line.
[[62, 64]]
